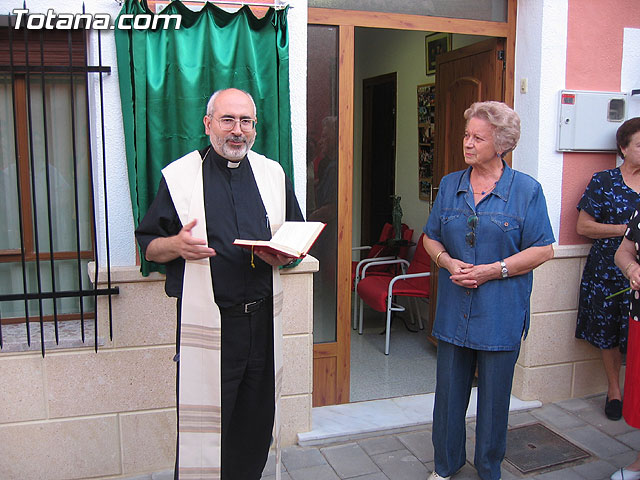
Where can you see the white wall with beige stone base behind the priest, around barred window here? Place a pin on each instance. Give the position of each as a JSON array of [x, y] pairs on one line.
[[85, 414]]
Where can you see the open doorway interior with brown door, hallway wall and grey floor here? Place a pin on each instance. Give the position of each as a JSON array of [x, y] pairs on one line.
[[410, 367]]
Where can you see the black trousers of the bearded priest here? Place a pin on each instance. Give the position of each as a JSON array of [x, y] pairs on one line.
[[248, 391]]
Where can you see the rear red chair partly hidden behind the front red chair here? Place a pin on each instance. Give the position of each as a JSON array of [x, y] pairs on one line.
[[379, 251]]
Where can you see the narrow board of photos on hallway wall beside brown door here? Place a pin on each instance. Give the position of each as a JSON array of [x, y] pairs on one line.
[[426, 138]]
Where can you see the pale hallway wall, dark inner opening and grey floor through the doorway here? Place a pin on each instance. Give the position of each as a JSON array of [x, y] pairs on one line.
[[383, 56]]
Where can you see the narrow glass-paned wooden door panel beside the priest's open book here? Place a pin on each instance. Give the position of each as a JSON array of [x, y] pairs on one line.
[[330, 92]]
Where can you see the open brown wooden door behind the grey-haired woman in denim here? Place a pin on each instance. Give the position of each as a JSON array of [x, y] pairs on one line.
[[463, 76]]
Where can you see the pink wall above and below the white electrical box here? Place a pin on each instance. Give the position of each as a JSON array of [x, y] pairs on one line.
[[594, 60]]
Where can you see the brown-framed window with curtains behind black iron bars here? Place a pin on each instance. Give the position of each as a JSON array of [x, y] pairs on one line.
[[46, 185]]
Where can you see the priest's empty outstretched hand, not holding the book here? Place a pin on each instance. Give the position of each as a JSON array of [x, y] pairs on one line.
[[184, 244]]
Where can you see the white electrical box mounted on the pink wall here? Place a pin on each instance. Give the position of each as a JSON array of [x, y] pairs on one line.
[[589, 120]]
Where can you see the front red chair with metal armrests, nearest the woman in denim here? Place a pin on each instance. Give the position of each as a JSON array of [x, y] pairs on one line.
[[379, 291]]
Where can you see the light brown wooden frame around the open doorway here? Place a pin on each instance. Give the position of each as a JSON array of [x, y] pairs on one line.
[[338, 353]]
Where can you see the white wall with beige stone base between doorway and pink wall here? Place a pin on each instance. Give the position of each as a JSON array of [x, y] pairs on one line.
[[553, 364]]
